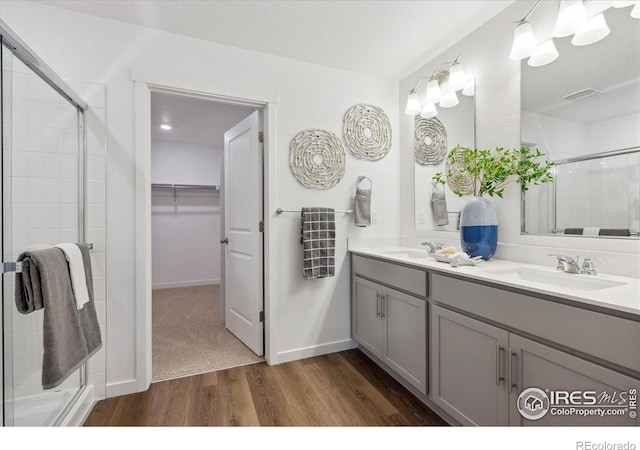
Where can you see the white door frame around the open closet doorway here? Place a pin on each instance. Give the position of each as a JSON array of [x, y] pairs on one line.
[[145, 82]]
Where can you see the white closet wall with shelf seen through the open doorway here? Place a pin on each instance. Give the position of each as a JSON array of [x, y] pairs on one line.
[[185, 234]]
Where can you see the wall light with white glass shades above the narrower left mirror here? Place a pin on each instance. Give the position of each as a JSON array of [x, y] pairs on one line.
[[442, 85]]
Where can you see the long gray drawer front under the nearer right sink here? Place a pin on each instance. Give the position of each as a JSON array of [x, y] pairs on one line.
[[609, 338]]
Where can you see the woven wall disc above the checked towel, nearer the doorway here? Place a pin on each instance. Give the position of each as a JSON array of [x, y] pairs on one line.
[[317, 158]]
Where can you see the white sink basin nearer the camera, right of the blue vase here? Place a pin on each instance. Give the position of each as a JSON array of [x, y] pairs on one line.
[[561, 279]]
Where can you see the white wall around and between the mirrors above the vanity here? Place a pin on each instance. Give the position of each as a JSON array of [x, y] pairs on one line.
[[485, 55]]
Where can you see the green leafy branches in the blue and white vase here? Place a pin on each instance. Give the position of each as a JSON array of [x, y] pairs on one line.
[[491, 171]]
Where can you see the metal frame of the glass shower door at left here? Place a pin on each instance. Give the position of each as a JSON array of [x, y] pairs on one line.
[[10, 41]]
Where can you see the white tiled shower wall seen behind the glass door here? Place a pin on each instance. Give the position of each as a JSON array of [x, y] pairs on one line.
[[40, 116]]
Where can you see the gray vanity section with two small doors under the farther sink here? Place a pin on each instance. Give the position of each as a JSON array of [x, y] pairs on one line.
[[391, 325]]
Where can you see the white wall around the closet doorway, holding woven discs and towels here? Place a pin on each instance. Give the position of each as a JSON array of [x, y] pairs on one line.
[[311, 316]]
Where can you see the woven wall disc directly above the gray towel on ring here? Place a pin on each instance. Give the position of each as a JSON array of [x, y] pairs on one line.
[[367, 132]]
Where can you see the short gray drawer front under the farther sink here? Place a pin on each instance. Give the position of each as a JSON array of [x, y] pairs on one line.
[[400, 277]]
